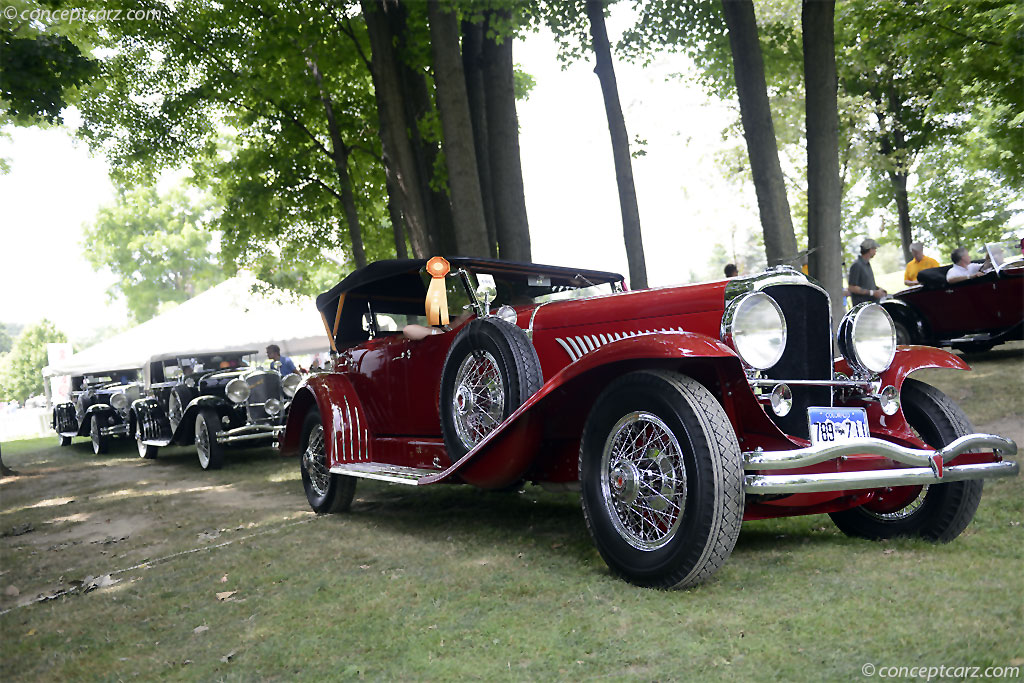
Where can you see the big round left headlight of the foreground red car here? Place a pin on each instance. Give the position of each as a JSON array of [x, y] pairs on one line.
[[755, 327]]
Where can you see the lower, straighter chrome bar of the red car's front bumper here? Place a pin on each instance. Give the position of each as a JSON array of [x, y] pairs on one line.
[[812, 484]]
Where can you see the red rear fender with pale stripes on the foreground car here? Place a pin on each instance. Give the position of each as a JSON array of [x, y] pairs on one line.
[[347, 434]]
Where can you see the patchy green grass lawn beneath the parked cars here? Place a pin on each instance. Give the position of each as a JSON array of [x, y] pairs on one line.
[[451, 583]]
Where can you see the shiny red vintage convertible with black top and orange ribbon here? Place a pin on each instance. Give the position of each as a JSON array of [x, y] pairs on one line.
[[677, 413]]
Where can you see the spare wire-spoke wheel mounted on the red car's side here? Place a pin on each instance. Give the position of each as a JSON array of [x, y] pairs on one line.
[[508, 365]]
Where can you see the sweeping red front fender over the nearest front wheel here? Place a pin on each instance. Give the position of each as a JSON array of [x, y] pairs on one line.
[[511, 450]]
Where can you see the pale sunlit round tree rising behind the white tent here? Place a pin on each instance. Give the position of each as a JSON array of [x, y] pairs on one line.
[[159, 248]]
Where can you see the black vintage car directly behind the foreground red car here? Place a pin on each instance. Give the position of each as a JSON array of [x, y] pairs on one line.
[[212, 401]]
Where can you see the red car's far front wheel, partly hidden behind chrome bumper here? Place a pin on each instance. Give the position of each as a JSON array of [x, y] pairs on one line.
[[940, 513]]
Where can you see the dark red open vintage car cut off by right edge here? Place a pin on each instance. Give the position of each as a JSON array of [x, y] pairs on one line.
[[973, 316]]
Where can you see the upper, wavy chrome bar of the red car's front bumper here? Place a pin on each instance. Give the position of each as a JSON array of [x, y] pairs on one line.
[[785, 460]]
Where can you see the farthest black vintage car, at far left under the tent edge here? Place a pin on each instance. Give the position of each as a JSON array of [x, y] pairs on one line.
[[99, 408]]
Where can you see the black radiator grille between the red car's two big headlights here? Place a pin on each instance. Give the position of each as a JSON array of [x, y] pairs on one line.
[[808, 352]]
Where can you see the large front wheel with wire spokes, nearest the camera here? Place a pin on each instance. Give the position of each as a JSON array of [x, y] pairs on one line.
[[705, 475]]
